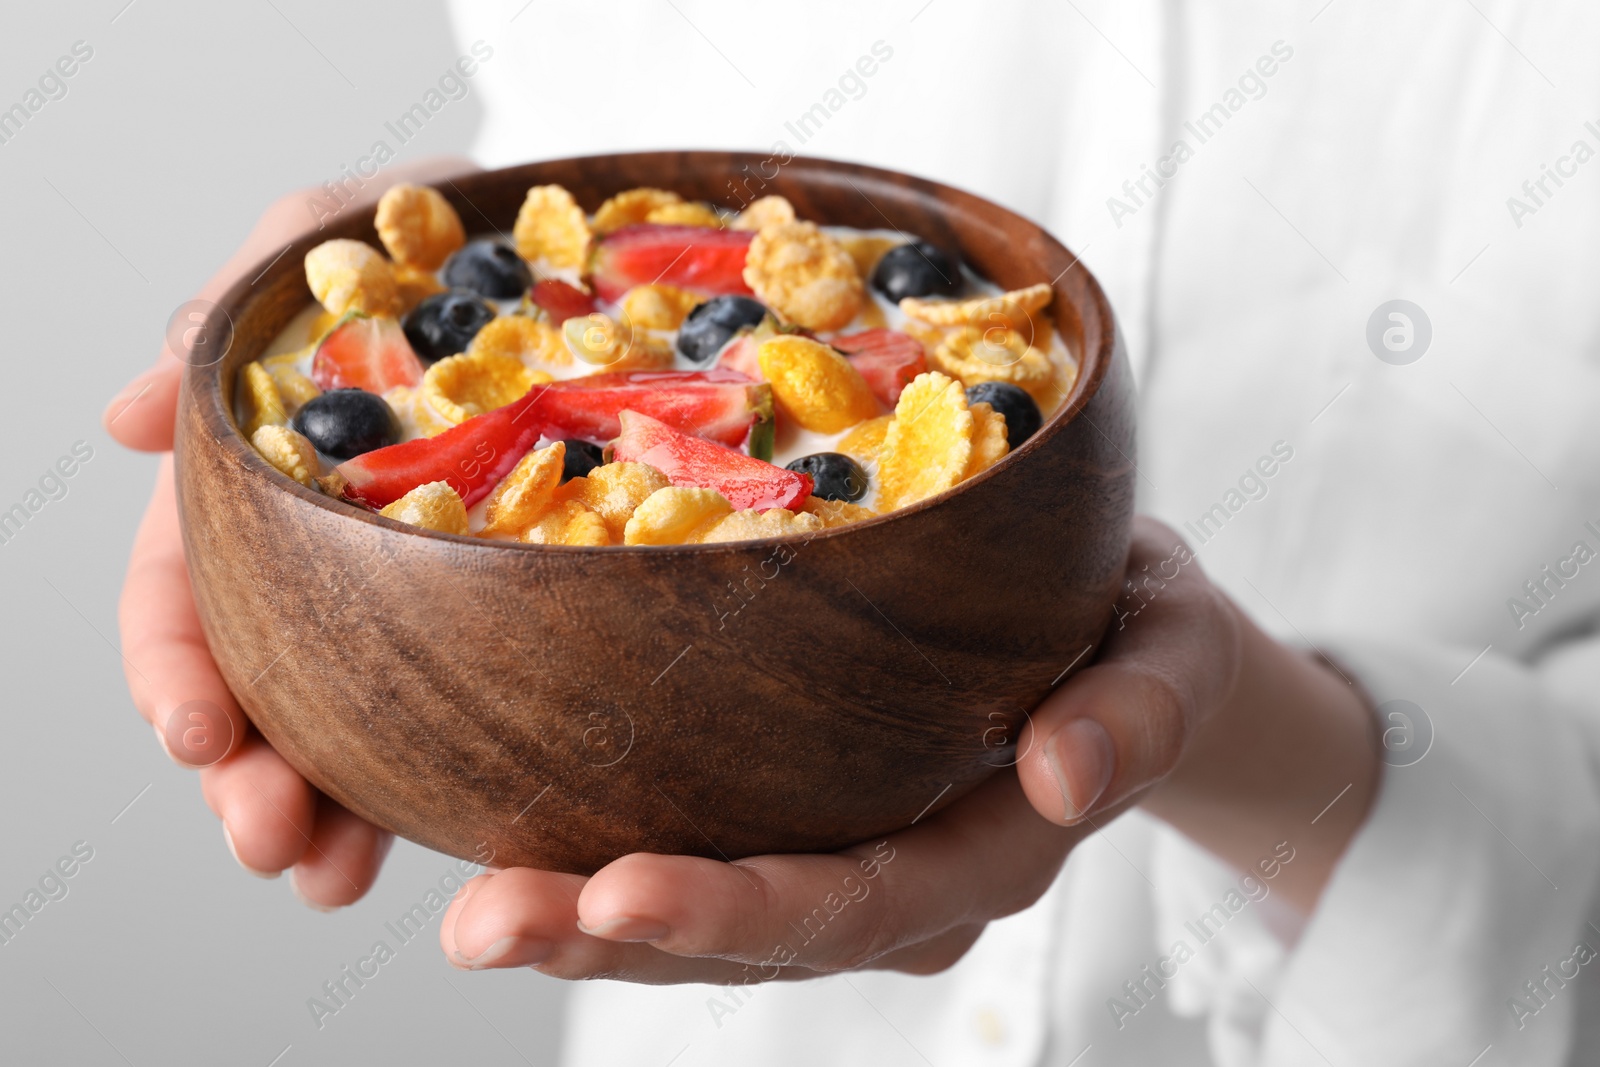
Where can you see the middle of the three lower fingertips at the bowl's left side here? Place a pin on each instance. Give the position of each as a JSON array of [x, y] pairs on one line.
[[268, 810]]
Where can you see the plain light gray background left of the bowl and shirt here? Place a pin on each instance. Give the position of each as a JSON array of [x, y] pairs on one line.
[[119, 201]]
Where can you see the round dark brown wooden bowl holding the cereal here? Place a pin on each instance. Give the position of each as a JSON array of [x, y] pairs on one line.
[[559, 708]]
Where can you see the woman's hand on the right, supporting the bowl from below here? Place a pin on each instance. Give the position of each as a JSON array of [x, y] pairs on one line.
[[1180, 679]]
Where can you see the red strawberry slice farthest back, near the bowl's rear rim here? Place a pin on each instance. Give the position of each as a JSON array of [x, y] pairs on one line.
[[689, 257]]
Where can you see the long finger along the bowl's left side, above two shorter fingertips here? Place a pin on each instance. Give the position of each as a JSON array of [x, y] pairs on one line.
[[167, 661]]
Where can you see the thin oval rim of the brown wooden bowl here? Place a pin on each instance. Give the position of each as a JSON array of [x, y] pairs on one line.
[[204, 383]]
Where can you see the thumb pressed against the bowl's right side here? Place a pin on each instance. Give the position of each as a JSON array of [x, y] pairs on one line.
[[1121, 725]]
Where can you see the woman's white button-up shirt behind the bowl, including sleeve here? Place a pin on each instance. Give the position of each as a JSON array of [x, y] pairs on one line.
[[1377, 162]]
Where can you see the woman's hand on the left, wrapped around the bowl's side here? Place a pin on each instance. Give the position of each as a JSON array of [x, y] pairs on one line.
[[273, 820]]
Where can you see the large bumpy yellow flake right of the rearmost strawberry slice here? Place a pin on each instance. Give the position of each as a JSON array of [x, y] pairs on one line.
[[806, 276]]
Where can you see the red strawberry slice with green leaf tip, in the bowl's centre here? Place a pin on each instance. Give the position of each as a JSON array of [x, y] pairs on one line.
[[716, 404]]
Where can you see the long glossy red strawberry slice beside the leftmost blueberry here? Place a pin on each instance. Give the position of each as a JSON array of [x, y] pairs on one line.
[[473, 457]]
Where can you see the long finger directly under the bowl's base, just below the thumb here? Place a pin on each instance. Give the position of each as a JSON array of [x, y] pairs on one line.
[[985, 857]]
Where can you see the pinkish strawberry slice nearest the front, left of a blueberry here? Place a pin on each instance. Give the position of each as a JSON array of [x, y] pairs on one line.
[[697, 463]]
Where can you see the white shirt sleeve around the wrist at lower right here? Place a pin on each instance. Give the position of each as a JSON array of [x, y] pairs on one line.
[[1462, 909]]
